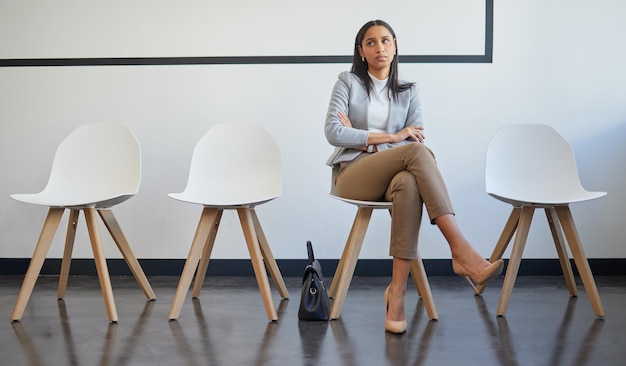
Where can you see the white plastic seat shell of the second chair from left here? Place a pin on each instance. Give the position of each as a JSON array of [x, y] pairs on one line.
[[234, 164]]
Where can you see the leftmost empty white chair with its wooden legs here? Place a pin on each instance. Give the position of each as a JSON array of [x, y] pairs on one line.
[[96, 167]]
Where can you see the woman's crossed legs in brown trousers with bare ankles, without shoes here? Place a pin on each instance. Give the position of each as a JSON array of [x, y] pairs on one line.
[[376, 176]]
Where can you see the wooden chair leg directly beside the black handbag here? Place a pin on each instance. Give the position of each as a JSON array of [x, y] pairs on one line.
[[354, 244]]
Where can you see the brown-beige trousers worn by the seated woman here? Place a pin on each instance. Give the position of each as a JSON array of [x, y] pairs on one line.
[[406, 175]]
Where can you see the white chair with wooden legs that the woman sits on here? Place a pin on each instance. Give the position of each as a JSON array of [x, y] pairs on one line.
[[347, 264]]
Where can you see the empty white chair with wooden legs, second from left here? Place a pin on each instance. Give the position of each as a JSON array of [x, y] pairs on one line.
[[234, 166]]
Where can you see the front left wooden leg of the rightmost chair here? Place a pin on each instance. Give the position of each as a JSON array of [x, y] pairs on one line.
[[516, 258]]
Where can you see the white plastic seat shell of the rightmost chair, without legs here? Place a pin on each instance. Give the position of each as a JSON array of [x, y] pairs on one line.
[[533, 163]]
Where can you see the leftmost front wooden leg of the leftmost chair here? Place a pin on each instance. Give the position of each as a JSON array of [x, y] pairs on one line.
[[34, 268]]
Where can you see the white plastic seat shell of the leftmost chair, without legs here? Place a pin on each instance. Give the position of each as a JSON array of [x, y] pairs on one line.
[[97, 164]]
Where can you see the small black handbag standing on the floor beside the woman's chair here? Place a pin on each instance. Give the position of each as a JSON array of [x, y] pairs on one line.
[[314, 302]]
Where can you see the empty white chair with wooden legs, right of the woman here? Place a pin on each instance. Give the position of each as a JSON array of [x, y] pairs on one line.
[[532, 166]]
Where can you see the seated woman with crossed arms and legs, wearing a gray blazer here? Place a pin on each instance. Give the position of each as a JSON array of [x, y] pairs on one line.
[[375, 122]]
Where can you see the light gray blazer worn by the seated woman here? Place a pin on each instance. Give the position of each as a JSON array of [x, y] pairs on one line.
[[350, 96]]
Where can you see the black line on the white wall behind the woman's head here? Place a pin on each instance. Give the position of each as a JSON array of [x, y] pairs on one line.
[[255, 60]]
